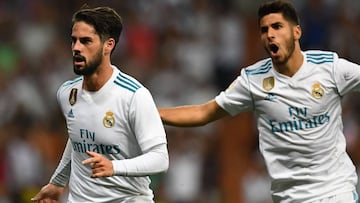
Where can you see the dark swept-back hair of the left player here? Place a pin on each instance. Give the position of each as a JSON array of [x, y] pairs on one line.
[[105, 20]]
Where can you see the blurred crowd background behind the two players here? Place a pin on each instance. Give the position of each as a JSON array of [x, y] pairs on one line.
[[184, 52]]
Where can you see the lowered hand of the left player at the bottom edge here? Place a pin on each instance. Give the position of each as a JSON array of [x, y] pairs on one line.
[[50, 193]]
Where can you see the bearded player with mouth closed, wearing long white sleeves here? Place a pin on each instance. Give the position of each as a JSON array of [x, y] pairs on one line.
[[116, 137]]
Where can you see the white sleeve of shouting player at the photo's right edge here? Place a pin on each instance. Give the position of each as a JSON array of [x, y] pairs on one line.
[[347, 76]]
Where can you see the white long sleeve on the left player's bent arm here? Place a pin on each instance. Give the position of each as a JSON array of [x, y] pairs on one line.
[[150, 134]]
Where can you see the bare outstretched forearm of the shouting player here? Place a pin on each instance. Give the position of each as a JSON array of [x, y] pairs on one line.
[[192, 115]]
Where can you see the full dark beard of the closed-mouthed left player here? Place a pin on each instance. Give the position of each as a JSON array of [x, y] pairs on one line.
[[90, 66]]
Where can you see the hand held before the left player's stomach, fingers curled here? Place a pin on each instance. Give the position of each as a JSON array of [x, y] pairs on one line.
[[100, 165]]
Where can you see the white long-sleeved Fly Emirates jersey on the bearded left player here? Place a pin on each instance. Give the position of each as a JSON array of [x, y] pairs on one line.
[[121, 122]]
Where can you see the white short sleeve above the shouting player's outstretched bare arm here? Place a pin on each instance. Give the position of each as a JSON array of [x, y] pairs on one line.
[[236, 98]]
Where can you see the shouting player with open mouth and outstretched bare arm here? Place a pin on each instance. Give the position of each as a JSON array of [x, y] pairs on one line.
[[296, 97]]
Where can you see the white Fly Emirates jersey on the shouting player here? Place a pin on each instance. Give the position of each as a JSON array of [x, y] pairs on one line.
[[299, 123]]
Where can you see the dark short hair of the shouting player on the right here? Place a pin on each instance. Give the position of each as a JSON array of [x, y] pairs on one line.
[[284, 7]]
